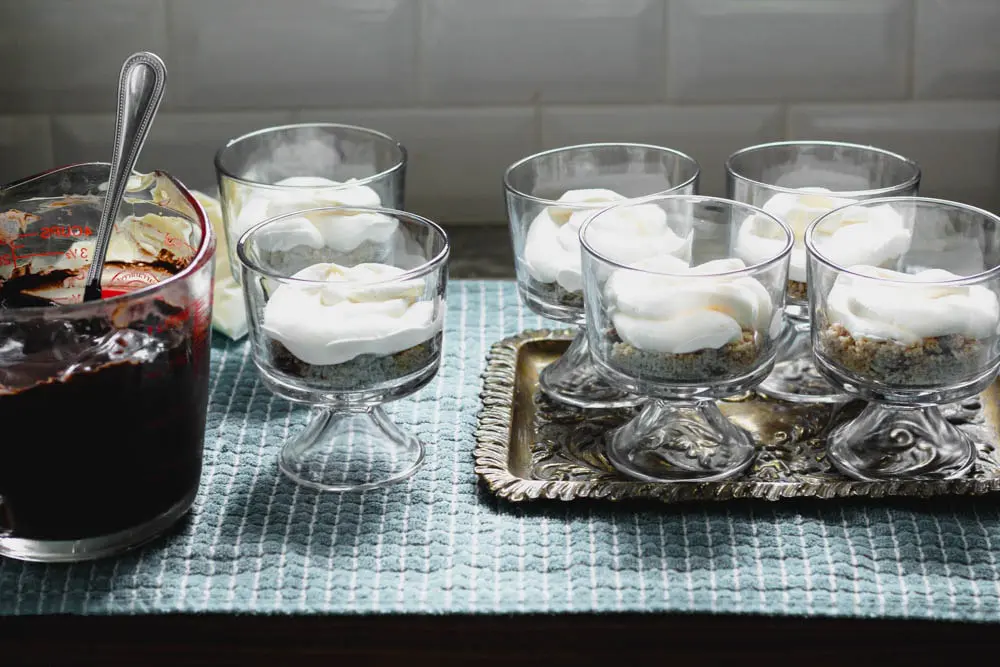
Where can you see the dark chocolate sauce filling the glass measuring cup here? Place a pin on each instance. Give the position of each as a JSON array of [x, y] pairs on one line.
[[109, 444]]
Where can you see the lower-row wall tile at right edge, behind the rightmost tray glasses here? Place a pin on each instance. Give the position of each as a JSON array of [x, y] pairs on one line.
[[956, 144]]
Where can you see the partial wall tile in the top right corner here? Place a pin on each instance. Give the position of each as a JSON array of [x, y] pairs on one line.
[[957, 50]]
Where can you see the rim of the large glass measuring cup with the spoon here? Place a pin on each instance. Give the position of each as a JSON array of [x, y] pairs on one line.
[[202, 256]]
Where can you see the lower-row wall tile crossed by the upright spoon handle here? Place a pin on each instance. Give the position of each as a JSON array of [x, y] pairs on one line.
[[183, 144]]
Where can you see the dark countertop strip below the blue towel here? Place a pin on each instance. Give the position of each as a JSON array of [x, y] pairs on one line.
[[485, 641]]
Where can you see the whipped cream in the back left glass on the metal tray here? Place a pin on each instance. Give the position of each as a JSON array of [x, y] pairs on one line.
[[631, 233]]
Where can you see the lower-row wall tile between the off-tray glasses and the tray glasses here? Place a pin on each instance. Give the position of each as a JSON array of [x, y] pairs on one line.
[[456, 156]]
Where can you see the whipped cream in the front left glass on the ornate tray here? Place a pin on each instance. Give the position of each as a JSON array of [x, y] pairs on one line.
[[687, 310]]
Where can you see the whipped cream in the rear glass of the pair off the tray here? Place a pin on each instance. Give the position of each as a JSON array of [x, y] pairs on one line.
[[342, 232]]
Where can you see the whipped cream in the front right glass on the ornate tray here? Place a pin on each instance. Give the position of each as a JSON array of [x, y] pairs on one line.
[[911, 312]]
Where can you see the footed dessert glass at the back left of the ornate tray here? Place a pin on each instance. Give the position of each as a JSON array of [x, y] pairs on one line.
[[549, 195]]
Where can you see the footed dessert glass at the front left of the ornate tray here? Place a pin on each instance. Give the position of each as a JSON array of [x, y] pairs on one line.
[[683, 332]]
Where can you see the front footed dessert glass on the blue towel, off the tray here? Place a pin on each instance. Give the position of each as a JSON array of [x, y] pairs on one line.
[[346, 337]]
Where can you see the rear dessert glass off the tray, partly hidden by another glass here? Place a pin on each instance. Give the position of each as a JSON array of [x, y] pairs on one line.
[[283, 169]]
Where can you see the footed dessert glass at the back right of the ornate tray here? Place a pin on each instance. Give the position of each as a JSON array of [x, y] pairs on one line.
[[797, 181]]
